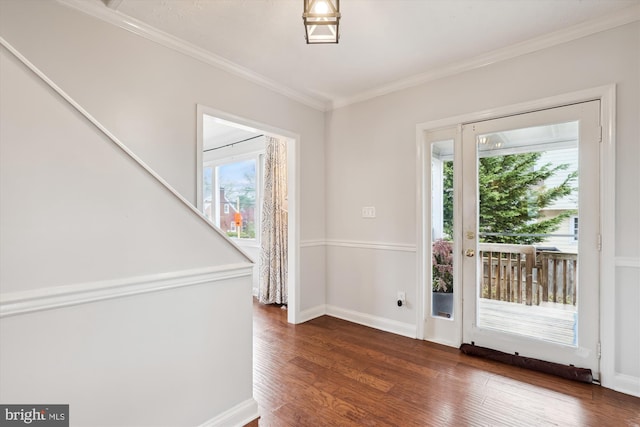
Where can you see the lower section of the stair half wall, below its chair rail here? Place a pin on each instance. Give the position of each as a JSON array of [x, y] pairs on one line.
[[147, 360]]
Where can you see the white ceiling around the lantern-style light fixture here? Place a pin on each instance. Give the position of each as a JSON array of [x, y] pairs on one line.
[[384, 43]]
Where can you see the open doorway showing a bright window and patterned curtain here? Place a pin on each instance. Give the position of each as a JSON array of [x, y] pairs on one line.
[[234, 158]]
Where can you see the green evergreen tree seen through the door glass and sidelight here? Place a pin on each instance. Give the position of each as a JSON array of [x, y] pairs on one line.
[[512, 196]]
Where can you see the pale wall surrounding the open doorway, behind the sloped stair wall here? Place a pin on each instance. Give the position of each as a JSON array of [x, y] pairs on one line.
[[146, 94]]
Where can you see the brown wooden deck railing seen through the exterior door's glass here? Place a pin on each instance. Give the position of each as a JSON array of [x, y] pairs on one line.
[[517, 273]]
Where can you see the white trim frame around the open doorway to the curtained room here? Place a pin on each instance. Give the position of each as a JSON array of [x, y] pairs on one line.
[[293, 189]]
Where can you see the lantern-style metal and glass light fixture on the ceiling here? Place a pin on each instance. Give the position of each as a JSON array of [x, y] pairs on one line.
[[321, 21]]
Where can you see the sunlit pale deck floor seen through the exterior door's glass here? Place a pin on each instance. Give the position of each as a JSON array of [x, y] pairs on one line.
[[549, 321]]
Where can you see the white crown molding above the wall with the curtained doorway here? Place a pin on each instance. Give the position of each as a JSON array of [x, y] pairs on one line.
[[104, 13]]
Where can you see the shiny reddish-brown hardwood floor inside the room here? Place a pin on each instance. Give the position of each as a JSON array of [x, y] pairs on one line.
[[329, 372]]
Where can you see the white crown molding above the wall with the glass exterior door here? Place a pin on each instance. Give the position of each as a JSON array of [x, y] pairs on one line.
[[617, 19]]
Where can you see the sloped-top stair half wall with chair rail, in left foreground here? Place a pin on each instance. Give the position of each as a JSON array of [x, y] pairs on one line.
[[116, 297]]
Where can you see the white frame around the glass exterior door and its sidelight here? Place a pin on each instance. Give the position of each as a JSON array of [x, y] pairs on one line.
[[606, 95]]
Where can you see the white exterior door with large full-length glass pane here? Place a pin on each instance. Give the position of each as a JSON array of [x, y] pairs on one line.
[[530, 234]]
